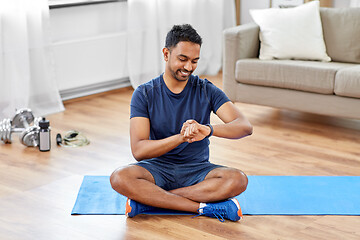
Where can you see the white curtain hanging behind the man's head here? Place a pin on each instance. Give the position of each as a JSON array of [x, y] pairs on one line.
[[150, 20]]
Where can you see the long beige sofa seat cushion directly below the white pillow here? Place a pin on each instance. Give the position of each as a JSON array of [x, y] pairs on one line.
[[311, 76]]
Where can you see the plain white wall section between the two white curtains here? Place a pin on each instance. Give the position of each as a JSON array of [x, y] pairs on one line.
[[89, 45]]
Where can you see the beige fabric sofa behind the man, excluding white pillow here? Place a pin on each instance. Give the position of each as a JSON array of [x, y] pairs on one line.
[[327, 88]]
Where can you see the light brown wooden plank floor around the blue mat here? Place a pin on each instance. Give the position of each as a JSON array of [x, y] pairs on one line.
[[38, 189]]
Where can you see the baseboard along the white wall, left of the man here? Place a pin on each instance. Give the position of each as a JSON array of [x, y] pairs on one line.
[[94, 88]]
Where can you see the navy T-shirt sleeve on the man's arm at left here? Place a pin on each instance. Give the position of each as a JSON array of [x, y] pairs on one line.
[[139, 103]]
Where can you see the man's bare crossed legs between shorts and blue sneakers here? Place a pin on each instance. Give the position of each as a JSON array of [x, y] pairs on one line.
[[138, 184]]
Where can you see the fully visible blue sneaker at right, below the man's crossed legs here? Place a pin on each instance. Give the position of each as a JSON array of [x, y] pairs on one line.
[[229, 209]]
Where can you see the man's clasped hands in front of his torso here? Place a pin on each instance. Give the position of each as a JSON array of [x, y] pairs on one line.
[[192, 131]]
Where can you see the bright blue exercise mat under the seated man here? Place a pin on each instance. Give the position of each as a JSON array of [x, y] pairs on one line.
[[265, 195]]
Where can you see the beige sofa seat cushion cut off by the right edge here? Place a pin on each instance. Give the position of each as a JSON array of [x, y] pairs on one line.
[[347, 82]]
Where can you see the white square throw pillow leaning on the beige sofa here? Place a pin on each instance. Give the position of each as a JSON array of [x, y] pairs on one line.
[[291, 33]]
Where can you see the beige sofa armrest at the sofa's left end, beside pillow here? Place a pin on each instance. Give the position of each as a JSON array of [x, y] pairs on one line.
[[238, 42]]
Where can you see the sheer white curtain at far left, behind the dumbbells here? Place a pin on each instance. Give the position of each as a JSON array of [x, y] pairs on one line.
[[27, 71]]
